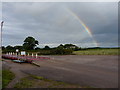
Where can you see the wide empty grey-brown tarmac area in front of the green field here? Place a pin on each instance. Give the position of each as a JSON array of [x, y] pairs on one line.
[[100, 71]]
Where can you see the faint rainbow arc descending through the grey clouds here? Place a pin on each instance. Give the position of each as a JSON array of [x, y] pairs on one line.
[[84, 26]]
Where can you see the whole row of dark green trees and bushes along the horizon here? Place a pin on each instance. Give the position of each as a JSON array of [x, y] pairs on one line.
[[30, 45]]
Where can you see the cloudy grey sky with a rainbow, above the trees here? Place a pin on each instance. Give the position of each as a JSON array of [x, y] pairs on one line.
[[85, 24]]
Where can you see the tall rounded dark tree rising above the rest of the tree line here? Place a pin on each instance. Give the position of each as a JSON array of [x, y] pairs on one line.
[[30, 43]]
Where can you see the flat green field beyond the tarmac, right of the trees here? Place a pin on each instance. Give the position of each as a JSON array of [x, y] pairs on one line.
[[97, 52]]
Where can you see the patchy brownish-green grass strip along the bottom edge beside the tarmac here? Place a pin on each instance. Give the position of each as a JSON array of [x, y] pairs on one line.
[[39, 82]]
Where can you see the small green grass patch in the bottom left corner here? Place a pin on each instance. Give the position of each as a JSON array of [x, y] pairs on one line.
[[7, 76]]
